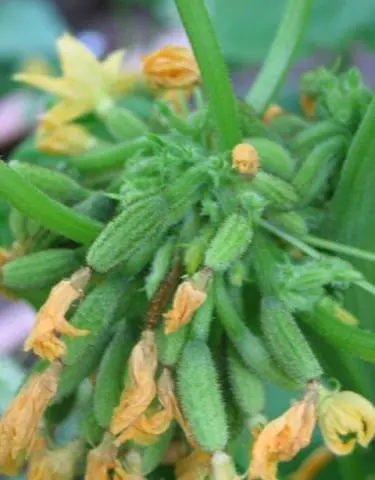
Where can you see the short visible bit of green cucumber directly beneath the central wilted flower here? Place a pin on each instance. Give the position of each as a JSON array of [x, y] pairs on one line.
[[169, 347]]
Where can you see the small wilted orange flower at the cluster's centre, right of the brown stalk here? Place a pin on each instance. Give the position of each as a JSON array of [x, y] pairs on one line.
[[187, 299]]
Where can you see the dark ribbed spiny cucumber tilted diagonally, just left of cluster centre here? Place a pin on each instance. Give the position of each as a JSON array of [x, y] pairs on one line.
[[127, 232]]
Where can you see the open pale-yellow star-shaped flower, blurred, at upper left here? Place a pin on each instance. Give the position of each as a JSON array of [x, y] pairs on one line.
[[85, 86]]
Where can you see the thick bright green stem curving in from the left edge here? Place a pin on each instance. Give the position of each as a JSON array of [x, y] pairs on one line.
[[50, 214]]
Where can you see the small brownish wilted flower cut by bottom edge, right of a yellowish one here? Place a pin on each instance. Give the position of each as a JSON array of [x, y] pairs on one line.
[[101, 460]]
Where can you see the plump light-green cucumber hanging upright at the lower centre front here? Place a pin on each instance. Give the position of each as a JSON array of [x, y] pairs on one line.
[[201, 398]]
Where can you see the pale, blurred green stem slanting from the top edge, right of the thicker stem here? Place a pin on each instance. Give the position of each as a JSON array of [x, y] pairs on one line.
[[281, 54]]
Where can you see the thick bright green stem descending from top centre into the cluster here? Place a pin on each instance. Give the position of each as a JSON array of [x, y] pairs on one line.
[[214, 73]]
